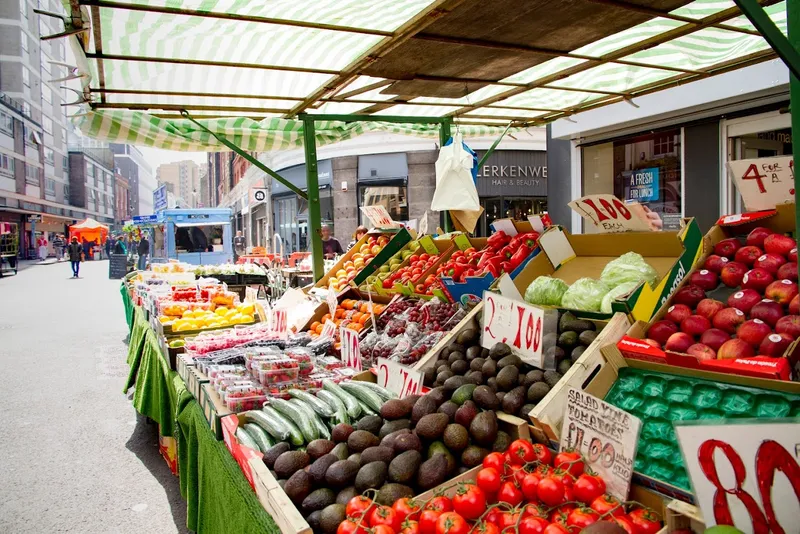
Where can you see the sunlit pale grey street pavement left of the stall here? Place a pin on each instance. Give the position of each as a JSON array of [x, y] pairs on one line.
[[75, 456]]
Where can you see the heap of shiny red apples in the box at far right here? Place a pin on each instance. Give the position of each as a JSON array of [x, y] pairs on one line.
[[736, 305]]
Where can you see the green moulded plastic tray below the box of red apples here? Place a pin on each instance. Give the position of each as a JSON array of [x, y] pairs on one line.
[[659, 399]]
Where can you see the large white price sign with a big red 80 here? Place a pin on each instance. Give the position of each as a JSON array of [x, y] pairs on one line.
[[744, 473]]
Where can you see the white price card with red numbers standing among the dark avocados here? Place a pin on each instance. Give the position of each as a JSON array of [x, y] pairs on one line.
[[515, 323]]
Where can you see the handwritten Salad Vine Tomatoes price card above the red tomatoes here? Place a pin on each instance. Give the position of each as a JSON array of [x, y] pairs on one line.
[[606, 437]]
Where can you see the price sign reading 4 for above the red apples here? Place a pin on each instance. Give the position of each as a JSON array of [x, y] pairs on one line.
[[764, 182]]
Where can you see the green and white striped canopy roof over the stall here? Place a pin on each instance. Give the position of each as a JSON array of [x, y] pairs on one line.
[[247, 69]]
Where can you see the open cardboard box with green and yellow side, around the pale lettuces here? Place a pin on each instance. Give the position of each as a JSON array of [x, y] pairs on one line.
[[571, 257]]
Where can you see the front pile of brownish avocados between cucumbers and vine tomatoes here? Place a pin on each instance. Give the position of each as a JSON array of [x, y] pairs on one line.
[[416, 444]]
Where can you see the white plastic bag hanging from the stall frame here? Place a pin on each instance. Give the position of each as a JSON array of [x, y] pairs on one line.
[[455, 189]]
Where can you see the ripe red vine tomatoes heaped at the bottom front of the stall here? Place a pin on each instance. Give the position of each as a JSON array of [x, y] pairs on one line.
[[527, 490]]
